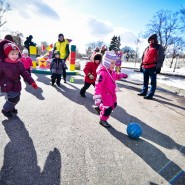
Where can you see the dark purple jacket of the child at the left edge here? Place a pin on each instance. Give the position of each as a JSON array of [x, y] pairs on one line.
[[10, 76]]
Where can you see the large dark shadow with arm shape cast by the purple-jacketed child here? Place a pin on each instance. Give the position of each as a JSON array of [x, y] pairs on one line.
[[20, 159]]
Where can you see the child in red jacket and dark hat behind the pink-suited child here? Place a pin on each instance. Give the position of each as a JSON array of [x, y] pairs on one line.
[[90, 73]]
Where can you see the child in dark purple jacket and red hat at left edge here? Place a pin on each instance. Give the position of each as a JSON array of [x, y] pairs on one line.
[[11, 69]]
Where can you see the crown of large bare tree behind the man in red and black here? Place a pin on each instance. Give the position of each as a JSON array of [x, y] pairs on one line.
[[166, 25]]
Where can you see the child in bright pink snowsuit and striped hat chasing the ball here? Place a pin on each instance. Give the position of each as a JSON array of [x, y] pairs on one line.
[[105, 87]]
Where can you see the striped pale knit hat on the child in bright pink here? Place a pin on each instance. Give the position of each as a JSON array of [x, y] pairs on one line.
[[108, 57]]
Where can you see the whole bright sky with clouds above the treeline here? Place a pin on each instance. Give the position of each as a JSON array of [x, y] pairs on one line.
[[85, 21]]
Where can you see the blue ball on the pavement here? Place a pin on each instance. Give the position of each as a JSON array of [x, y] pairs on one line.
[[134, 130]]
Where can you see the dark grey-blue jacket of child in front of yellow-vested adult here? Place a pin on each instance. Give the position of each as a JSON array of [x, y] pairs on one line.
[[57, 65]]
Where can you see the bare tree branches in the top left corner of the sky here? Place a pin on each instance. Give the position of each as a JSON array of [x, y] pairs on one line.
[[4, 8]]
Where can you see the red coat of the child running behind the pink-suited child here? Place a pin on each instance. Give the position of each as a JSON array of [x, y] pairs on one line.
[[90, 68]]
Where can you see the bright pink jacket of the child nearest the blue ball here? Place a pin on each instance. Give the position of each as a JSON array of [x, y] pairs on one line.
[[106, 86]]
